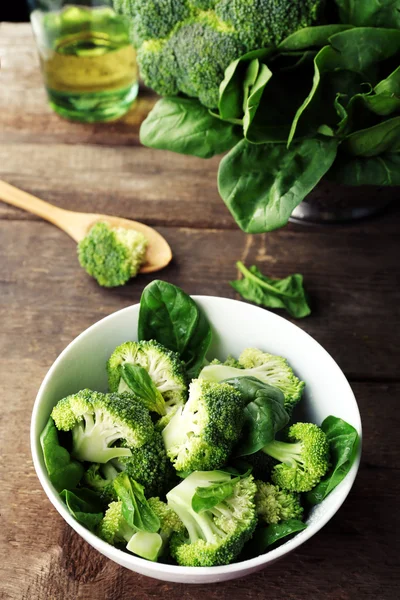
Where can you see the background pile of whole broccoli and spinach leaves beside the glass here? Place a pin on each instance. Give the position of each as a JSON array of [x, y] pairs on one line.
[[292, 95]]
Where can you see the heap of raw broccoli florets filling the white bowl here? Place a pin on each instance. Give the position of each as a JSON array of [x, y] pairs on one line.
[[159, 453]]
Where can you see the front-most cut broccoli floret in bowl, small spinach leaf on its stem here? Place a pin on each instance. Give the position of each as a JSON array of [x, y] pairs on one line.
[[215, 536]]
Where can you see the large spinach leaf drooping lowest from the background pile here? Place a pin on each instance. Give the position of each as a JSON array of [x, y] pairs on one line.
[[262, 184]]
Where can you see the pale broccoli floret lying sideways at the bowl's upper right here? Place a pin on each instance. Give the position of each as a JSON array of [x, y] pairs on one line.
[[268, 368]]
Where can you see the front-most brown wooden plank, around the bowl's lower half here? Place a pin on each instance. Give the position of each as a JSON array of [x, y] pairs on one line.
[[352, 557]]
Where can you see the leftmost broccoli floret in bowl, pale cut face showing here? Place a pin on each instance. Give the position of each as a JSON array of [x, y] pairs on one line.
[[100, 421]]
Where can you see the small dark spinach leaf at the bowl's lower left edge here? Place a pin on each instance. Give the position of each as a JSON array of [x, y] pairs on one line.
[[85, 506]]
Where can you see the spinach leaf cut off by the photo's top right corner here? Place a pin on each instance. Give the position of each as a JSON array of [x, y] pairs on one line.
[[370, 13]]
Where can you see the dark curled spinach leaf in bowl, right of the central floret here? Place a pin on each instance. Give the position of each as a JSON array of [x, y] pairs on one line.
[[265, 414]]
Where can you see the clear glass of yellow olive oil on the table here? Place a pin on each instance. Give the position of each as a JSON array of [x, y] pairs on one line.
[[88, 62]]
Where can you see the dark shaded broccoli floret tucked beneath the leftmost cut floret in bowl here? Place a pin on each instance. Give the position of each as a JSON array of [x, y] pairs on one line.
[[148, 465]]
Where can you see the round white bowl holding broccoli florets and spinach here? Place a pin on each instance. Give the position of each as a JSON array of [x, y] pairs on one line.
[[236, 325]]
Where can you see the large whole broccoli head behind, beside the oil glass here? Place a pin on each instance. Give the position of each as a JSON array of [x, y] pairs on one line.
[[186, 45]]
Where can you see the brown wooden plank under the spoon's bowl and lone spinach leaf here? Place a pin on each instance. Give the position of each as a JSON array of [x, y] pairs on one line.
[[351, 281]]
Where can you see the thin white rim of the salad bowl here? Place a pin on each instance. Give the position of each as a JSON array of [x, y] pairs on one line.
[[156, 568]]
